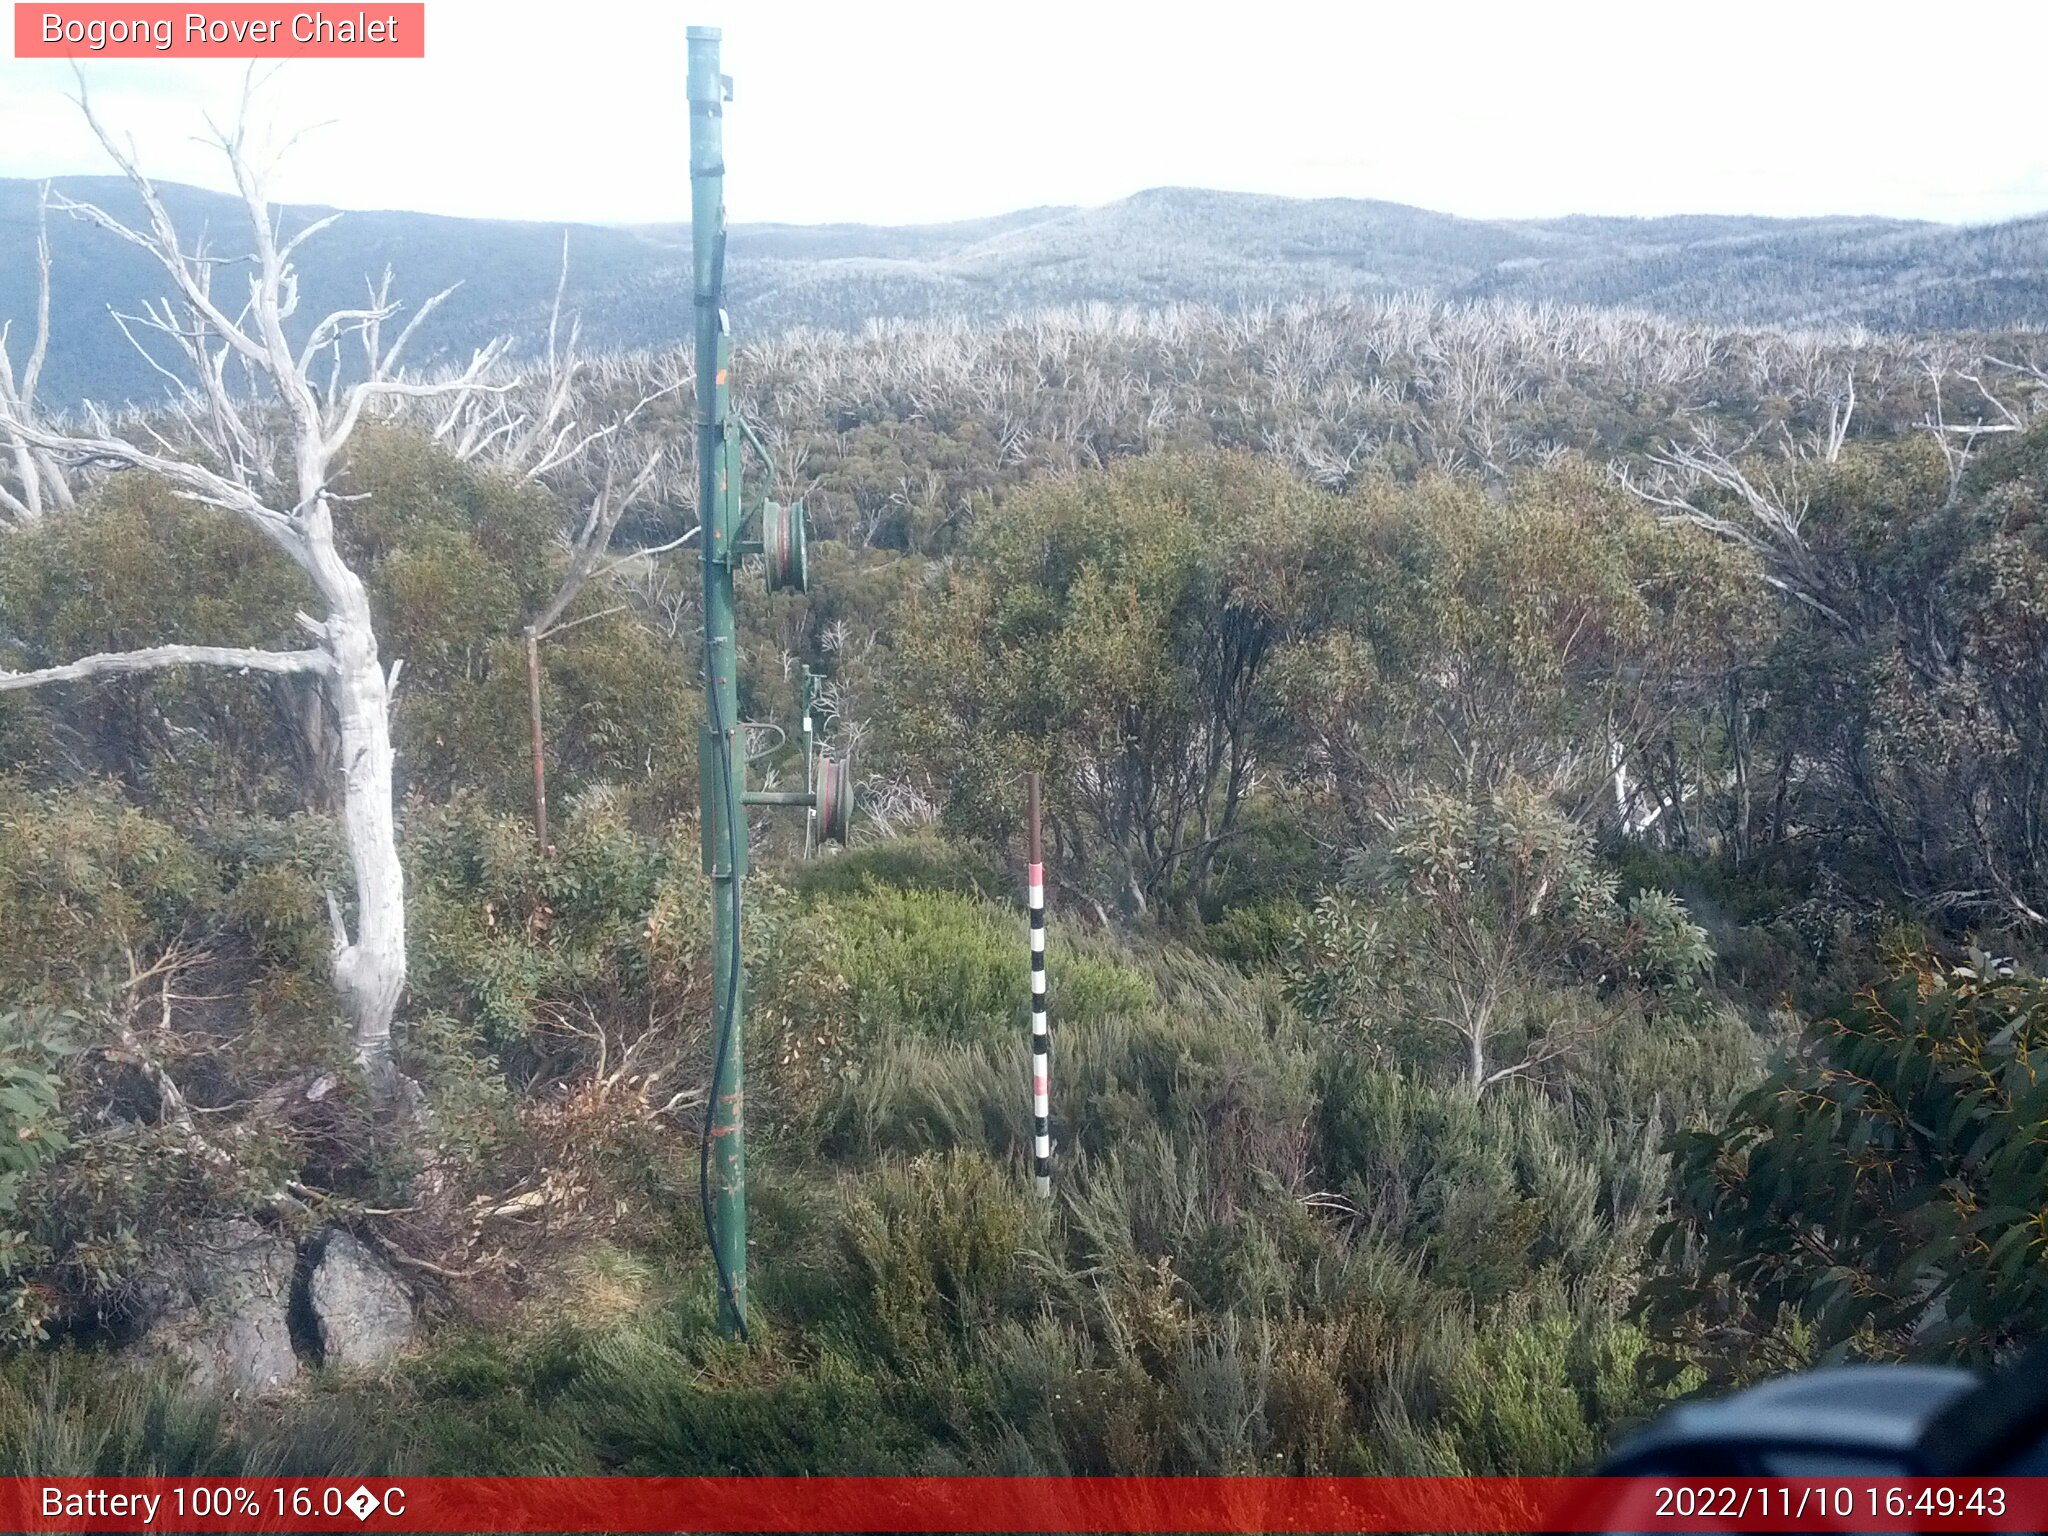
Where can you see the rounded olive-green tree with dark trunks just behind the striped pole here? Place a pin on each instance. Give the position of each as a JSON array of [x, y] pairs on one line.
[[1117, 632]]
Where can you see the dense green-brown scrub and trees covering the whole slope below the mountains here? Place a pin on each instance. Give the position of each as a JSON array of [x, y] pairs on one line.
[[1500, 919]]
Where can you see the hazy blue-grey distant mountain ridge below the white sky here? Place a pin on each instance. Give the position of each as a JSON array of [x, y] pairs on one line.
[[632, 286]]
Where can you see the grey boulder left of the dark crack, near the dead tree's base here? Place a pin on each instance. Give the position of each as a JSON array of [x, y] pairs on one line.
[[222, 1310]]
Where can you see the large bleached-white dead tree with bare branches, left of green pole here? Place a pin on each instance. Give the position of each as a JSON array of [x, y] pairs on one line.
[[257, 427]]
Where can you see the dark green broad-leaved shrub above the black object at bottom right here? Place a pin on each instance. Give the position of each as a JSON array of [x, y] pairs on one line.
[[1885, 1183]]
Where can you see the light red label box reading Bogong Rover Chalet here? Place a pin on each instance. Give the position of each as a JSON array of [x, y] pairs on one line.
[[382, 30]]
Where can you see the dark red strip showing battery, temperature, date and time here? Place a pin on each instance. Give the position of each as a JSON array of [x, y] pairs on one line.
[[1021, 1504]]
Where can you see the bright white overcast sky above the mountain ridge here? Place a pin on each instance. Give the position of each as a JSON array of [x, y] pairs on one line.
[[898, 112]]
